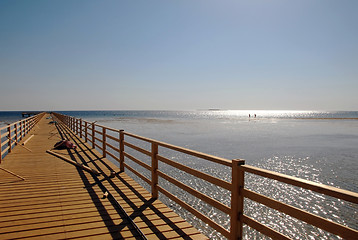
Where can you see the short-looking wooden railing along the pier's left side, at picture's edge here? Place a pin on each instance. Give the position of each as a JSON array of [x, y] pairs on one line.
[[11, 134]]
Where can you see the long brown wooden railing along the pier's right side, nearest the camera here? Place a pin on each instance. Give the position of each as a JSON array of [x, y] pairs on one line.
[[99, 137]]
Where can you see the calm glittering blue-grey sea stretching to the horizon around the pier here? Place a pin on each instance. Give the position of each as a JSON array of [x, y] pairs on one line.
[[313, 145]]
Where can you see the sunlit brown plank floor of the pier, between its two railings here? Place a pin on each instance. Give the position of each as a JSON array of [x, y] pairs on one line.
[[60, 201]]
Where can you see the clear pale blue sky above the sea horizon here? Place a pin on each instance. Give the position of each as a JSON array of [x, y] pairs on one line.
[[178, 54]]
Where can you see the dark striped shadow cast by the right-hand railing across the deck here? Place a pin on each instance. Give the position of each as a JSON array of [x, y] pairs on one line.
[[123, 193]]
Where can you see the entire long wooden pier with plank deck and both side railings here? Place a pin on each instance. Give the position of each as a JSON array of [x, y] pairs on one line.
[[80, 194]]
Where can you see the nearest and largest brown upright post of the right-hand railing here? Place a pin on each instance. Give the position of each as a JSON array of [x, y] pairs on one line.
[[237, 200]]
